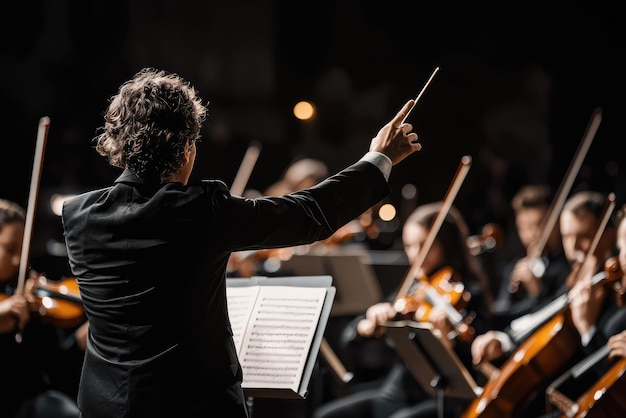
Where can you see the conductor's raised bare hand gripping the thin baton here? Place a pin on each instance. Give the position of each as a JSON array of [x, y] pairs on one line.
[[396, 139]]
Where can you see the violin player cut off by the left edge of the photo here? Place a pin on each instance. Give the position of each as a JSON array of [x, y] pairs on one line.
[[32, 383]]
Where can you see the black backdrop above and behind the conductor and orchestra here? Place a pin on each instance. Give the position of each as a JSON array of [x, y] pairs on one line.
[[518, 83]]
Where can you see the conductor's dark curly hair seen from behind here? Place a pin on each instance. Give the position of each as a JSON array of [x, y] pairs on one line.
[[150, 123]]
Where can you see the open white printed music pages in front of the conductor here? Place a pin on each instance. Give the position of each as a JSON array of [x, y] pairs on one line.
[[273, 332]]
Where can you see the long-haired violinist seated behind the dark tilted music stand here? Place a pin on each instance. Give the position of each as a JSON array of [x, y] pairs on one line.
[[399, 394]]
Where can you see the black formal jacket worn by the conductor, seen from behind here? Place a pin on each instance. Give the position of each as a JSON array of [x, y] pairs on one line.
[[150, 261]]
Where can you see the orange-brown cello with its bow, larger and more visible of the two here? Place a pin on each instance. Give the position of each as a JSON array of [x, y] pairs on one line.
[[511, 389]]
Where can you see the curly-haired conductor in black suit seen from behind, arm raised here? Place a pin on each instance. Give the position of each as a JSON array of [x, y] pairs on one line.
[[150, 252]]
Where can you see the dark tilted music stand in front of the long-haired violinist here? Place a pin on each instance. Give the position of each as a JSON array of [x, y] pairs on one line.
[[434, 365]]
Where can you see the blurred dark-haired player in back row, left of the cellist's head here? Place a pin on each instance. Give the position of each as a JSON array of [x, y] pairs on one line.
[[527, 282]]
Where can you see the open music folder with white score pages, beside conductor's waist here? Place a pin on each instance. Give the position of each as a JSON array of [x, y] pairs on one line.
[[278, 325]]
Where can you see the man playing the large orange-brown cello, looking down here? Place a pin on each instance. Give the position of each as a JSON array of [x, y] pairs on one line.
[[579, 222]]
